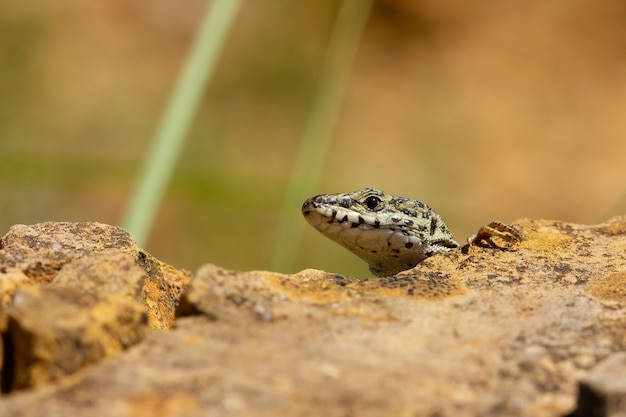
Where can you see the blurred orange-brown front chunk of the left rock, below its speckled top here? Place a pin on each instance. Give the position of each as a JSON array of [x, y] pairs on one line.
[[55, 331]]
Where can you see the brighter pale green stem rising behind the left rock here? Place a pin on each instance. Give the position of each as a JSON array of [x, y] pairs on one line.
[[180, 112]]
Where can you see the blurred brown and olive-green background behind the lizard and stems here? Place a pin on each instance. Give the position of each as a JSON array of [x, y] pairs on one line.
[[484, 110]]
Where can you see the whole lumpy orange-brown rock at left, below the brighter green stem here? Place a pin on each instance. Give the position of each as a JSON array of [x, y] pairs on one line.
[[74, 293]]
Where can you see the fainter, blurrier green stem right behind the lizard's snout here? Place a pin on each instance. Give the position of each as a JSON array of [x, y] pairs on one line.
[[318, 134]]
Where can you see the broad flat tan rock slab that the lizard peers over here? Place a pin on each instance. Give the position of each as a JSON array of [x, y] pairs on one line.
[[489, 333]]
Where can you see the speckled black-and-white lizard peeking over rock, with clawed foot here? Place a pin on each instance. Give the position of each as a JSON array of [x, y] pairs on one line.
[[391, 234]]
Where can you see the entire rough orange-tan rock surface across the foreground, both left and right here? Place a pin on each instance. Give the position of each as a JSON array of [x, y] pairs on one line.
[[539, 330]]
